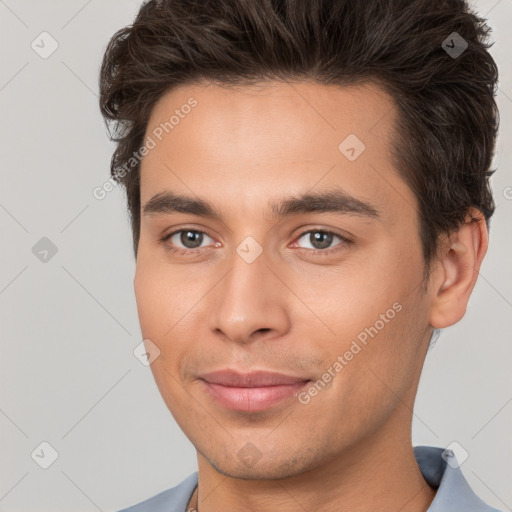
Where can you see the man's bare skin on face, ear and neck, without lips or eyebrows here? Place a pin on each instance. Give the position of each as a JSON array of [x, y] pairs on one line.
[[291, 310]]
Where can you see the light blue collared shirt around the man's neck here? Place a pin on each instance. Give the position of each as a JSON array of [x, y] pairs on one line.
[[453, 492]]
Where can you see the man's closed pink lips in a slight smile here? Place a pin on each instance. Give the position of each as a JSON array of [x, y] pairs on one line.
[[251, 392]]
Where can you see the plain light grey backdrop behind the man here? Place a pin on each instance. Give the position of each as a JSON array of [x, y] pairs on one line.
[[69, 325]]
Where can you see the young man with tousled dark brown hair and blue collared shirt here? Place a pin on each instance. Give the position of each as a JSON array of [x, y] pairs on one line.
[[308, 189]]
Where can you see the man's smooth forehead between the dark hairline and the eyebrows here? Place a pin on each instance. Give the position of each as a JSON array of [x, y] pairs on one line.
[[253, 141]]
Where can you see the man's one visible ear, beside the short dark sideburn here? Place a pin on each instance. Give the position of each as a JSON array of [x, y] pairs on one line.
[[458, 262]]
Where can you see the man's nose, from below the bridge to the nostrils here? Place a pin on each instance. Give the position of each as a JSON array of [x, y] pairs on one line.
[[250, 303]]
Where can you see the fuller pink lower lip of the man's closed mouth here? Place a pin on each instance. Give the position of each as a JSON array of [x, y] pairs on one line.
[[252, 399]]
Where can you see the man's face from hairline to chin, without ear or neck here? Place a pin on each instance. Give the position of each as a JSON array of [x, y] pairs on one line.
[[257, 291]]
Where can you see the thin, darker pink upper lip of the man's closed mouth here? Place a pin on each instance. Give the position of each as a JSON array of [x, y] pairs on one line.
[[250, 380]]
